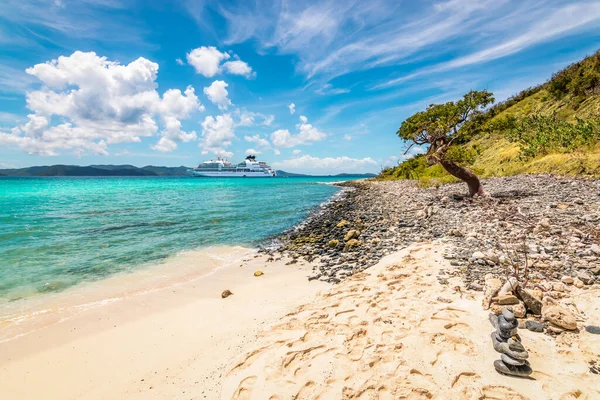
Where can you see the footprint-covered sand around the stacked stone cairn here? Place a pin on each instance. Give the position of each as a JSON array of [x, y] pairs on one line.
[[393, 332]]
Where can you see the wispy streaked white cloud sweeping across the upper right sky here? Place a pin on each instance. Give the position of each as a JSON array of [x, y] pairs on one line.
[[333, 38]]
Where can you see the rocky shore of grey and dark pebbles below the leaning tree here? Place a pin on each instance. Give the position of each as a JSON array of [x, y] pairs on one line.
[[544, 229]]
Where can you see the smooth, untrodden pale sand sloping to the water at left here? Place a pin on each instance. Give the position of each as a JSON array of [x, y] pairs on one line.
[[174, 341]]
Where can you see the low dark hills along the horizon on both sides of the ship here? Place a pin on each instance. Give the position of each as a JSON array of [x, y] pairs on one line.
[[128, 170]]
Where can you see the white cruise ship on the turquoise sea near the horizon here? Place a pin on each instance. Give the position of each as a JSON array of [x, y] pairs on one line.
[[220, 168]]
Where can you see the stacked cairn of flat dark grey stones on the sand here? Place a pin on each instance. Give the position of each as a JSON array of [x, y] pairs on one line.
[[513, 359]]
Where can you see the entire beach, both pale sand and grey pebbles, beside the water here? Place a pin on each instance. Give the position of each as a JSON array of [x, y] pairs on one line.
[[416, 254]]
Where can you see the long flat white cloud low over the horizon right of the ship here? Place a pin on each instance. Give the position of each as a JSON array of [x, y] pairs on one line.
[[307, 163]]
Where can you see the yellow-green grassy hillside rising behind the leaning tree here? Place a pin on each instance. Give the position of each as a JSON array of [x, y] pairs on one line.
[[571, 96]]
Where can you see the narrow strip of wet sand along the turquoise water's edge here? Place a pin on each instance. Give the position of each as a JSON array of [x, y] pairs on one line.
[[58, 306]]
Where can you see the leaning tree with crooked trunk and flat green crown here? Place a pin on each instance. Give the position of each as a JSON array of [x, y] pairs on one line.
[[442, 125]]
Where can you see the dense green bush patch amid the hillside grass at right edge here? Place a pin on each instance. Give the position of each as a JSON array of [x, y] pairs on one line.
[[541, 135]]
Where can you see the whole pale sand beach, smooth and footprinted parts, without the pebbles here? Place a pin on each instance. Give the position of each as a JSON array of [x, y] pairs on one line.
[[391, 332]]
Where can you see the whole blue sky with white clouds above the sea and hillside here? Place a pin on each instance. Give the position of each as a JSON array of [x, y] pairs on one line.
[[317, 87]]
